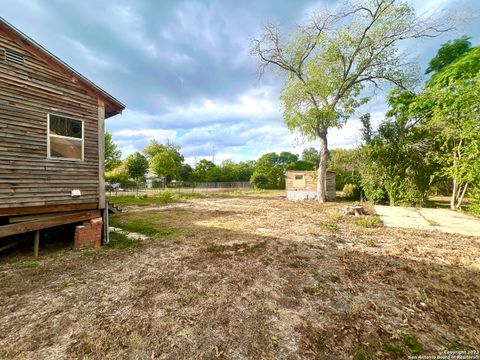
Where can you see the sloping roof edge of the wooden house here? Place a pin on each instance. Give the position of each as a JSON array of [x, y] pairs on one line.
[[112, 106]]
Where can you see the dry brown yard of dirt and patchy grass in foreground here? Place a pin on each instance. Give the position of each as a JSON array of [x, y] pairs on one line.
[[246, 277]]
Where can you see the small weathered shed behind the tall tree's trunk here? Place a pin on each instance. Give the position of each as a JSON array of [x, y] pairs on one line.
[[302, 185]]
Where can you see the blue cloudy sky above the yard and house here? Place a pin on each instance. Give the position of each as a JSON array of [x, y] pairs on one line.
[[184, 71]]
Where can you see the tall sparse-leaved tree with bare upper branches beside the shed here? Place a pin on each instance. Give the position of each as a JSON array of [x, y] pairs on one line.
[[328, 62]]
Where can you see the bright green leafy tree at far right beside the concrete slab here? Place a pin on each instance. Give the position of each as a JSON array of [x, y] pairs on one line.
[[454, 97]]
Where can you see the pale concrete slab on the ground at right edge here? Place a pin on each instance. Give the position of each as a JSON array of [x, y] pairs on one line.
[[443, 220]]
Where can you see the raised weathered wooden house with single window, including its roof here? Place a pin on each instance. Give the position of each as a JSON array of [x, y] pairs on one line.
[[51, 142]]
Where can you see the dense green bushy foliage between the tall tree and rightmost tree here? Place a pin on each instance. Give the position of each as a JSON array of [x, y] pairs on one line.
[[396, 161]]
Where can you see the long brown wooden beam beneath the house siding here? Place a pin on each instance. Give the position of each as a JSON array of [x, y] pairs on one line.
[[20, 228]]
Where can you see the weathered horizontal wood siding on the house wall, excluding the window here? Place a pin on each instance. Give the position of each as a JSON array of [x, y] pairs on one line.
[[28, 178]]
